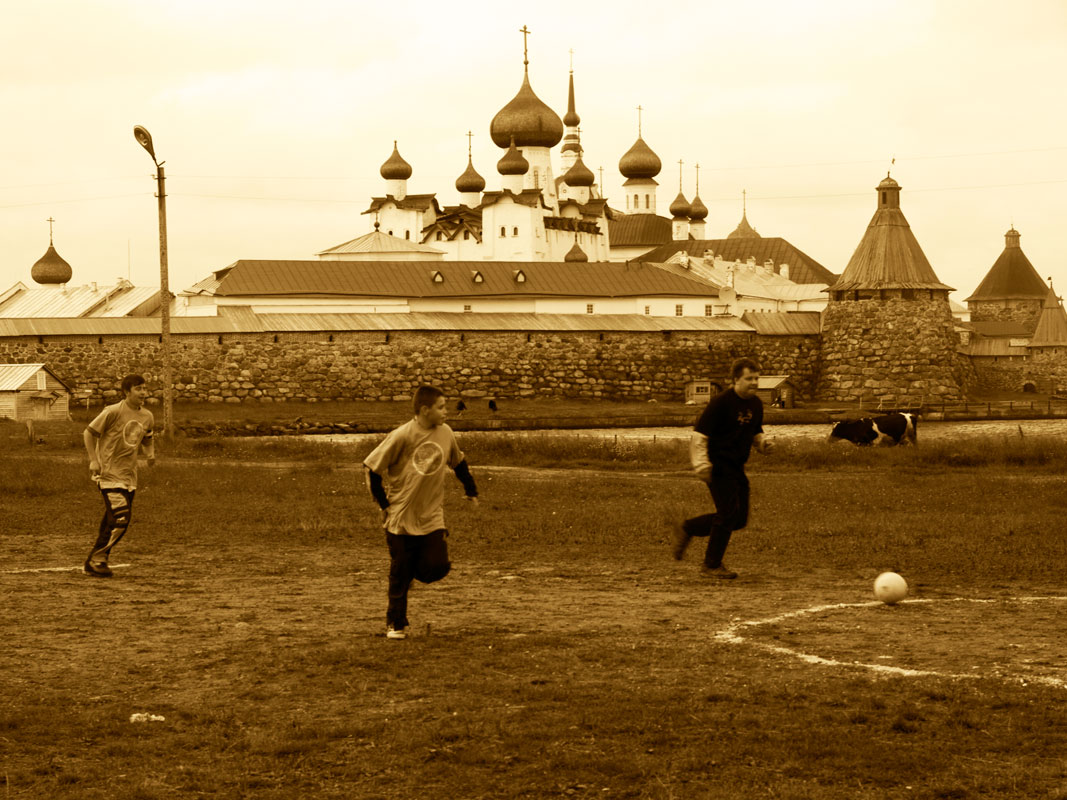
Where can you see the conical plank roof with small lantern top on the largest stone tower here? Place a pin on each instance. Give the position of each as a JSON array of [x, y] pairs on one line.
[[888, 257]]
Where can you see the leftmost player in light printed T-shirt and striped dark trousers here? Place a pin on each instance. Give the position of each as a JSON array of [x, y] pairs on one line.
[[113, 442]]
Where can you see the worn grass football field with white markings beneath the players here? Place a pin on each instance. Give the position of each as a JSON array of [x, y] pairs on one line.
[[567, 655]]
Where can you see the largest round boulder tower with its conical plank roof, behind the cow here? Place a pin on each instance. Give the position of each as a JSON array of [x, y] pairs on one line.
[[888, 333]]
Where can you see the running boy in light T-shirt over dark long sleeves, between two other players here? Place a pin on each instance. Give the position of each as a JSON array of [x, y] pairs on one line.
[[406, 475]]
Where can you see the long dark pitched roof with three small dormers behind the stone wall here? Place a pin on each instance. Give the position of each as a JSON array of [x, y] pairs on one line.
[[417, 280]]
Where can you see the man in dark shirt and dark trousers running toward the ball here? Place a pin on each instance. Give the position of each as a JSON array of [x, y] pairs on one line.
[[723, 439]]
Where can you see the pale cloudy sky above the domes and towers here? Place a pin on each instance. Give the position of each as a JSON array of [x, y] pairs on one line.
[[275, 118]]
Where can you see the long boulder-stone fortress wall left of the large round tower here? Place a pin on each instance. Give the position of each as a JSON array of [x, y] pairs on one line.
[[328, 366]]
